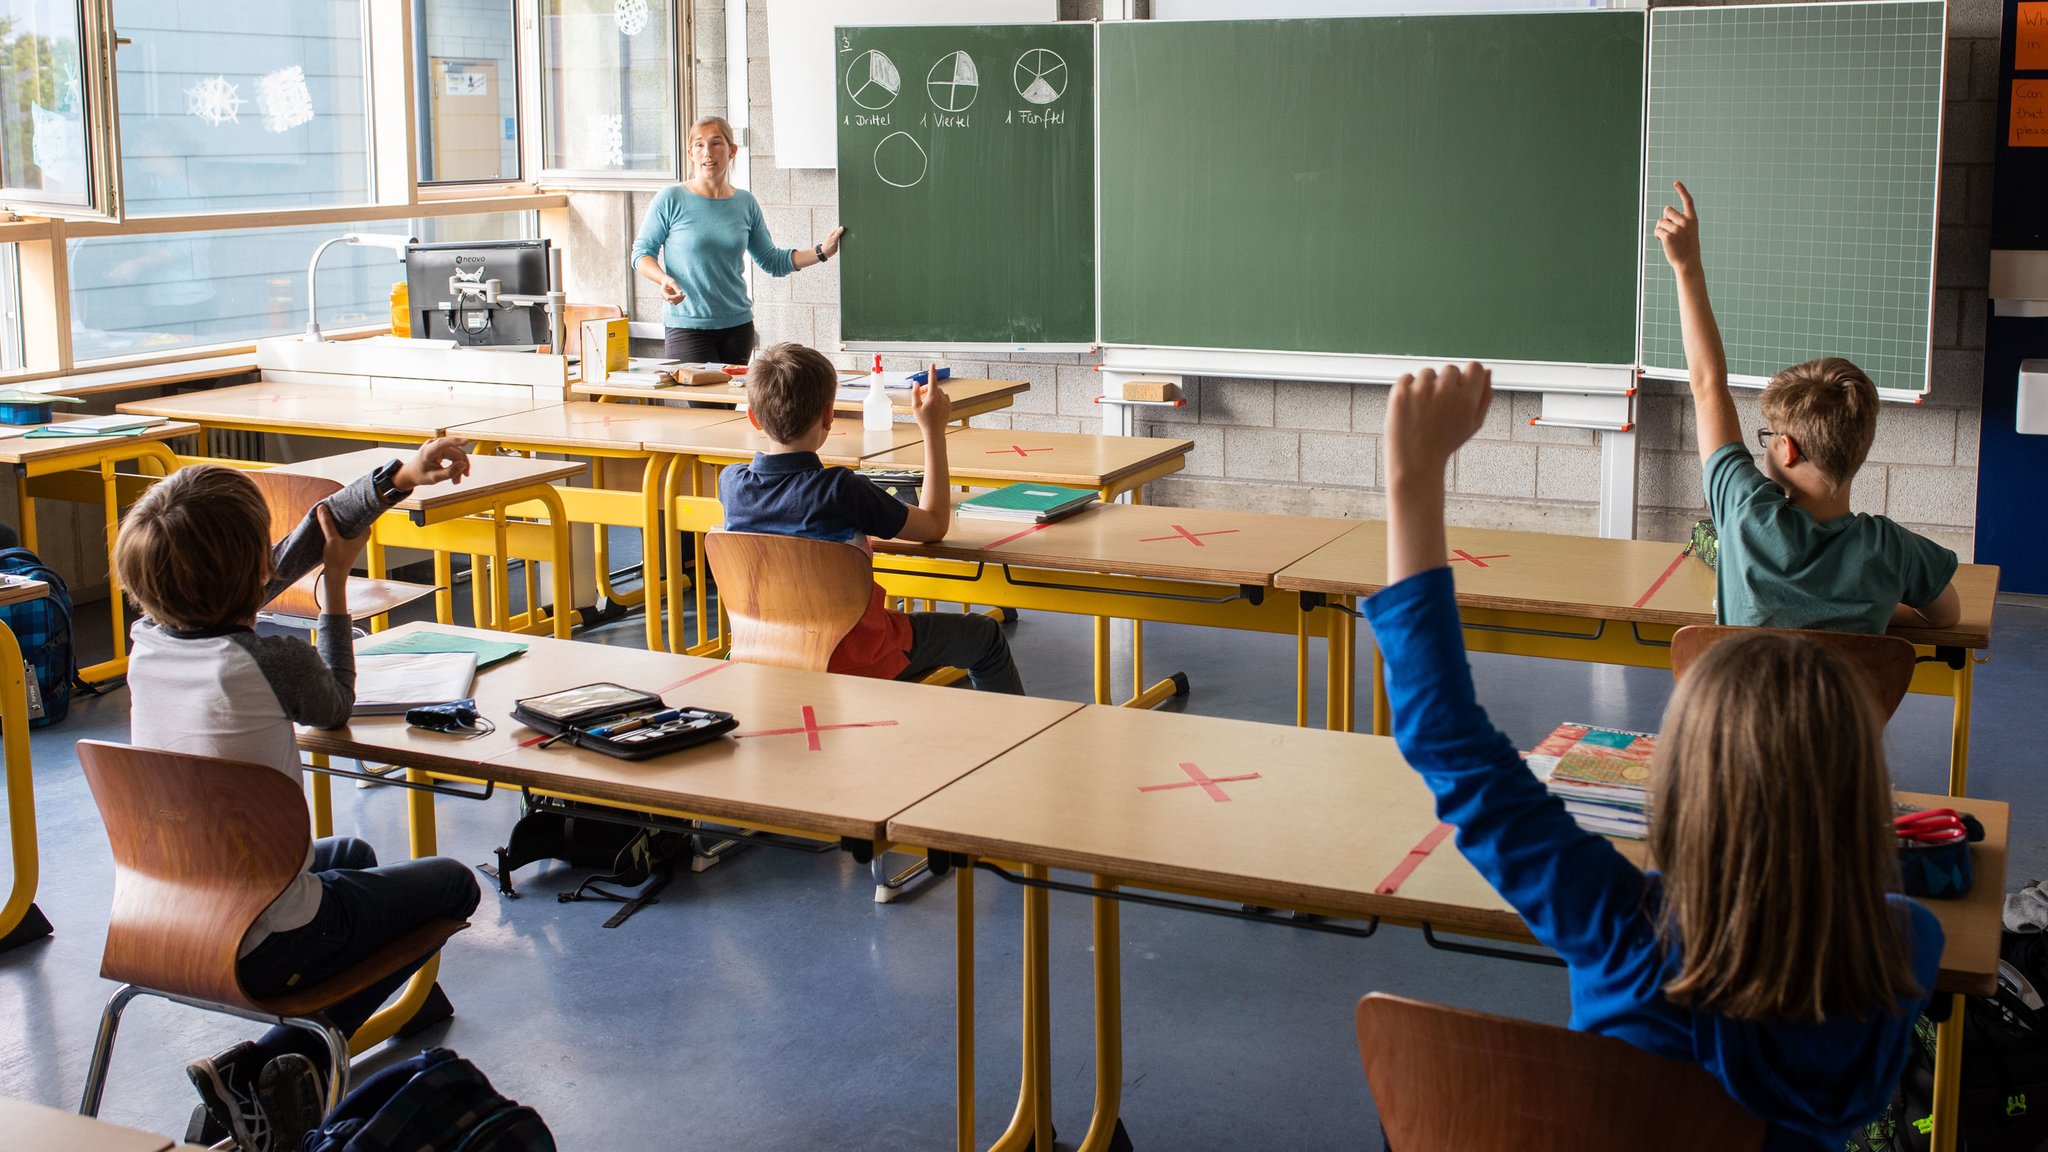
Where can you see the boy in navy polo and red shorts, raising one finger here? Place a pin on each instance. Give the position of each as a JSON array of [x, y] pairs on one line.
[[790, 493]]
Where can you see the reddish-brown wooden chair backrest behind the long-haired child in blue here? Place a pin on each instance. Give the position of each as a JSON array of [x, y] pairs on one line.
[[1449, 1081]]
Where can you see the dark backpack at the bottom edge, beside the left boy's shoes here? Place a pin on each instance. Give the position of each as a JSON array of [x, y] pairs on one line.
[[435, 1100]]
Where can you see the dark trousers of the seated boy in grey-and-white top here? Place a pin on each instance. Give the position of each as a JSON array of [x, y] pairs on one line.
[[364, 905]]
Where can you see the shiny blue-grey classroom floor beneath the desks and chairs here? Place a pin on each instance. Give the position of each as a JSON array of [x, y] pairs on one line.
[[771, 1003]]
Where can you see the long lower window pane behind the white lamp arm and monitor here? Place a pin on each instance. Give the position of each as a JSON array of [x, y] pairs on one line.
[[153, 294]]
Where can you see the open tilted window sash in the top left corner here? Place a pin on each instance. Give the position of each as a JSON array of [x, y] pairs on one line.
[[54, 99]]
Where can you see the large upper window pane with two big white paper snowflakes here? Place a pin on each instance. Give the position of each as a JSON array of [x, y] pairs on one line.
[[241, 106]]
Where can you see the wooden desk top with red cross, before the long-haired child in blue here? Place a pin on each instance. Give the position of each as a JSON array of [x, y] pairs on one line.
[[1318, 821]]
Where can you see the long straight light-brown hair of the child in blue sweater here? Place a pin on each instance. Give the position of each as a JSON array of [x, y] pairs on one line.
[[1773, 827]]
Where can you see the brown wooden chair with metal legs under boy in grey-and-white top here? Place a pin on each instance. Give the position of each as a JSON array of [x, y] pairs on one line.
[[202, 848]]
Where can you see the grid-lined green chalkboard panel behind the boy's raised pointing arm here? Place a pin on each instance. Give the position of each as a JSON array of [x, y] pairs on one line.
[[1809, 138]]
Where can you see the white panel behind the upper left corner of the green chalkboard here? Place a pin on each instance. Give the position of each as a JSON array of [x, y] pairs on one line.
[[804, 73]]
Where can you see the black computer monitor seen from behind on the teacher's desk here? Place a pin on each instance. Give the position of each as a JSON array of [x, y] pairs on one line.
[[443, 315]]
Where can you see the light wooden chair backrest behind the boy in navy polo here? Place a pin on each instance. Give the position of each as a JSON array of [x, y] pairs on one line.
[[792, 600]]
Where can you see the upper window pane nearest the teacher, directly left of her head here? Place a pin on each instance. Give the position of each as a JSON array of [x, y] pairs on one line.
[[611, 93]]
